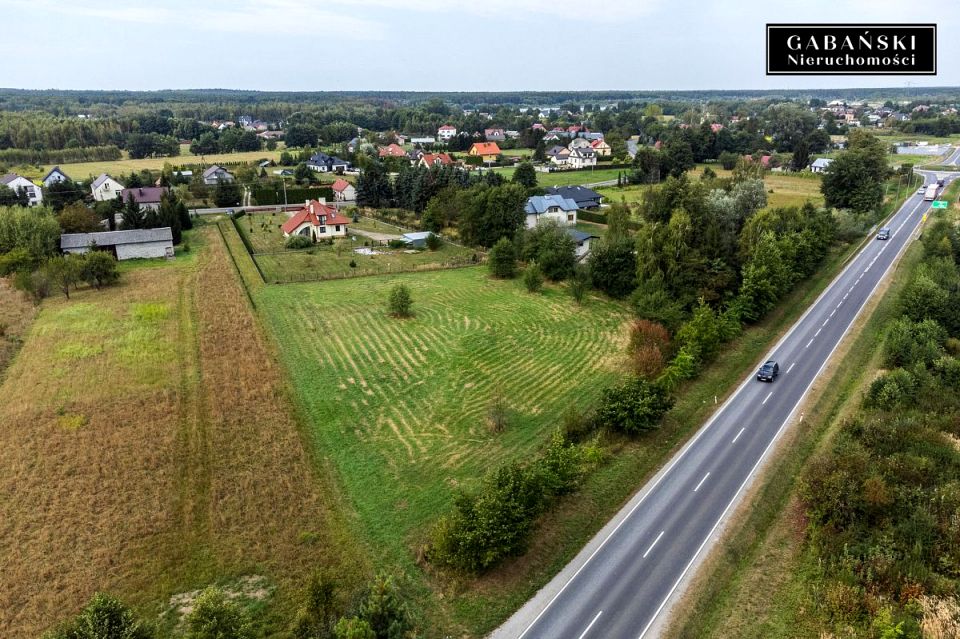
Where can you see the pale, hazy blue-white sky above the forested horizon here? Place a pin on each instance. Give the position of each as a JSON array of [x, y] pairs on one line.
[[431, 45]]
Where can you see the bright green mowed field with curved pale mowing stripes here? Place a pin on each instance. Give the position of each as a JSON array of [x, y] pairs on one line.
[[401, 406]]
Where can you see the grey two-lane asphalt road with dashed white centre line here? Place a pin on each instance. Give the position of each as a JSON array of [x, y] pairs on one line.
[[628, 575]]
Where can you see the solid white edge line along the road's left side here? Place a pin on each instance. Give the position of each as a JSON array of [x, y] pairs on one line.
[[647, 490]]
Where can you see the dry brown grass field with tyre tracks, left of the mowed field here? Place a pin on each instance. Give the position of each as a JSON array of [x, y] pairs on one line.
[[148, 449]]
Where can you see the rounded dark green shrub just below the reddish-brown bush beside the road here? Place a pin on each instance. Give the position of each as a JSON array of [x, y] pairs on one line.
[[633, 407]]
